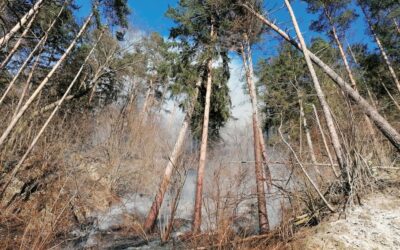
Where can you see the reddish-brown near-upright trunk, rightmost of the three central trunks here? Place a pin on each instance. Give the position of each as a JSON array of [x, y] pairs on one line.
[[261, 200]]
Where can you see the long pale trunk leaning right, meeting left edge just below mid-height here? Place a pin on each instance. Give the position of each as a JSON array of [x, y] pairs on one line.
[[43, 83]]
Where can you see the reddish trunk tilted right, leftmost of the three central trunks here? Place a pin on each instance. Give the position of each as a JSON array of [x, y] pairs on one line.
[[172, 162]]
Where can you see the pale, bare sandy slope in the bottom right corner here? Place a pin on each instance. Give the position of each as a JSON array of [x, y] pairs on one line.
[[375, 224]]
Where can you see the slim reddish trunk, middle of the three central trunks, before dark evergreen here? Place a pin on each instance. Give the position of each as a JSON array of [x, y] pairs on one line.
[[196, 226]]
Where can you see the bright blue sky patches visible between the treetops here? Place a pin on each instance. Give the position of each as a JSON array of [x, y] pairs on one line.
[[149, 15]]
